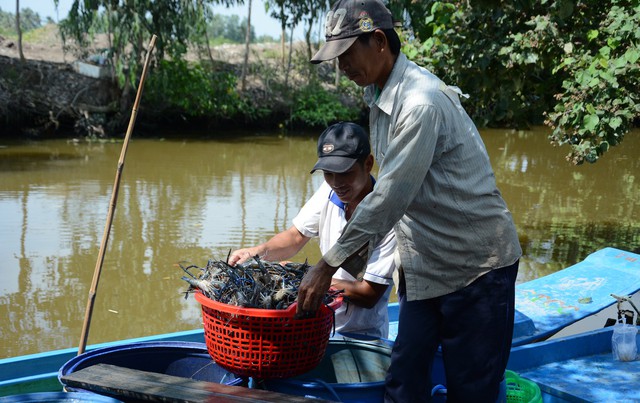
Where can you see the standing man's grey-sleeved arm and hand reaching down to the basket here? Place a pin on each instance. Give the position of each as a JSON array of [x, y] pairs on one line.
[[401, 176]]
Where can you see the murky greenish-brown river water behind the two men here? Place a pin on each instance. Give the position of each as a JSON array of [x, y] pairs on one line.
[[193, 198]]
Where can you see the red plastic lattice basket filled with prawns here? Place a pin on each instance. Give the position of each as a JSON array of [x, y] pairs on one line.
[[265, 343]]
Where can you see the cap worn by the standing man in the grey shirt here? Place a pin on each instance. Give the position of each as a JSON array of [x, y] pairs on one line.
[[347, 20]]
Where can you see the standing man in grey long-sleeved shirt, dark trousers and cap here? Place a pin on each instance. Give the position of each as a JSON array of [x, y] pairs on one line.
[[457, 247]]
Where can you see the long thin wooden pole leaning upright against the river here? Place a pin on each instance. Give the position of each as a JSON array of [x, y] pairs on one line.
[[112, 205]]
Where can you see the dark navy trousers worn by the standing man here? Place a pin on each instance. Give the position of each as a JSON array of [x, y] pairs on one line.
[[474, 326]]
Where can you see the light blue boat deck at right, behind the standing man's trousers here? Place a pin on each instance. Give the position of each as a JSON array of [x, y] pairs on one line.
[[578, 298]]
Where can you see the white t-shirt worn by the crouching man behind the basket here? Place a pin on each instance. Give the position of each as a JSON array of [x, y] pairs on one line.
[[323, 216]]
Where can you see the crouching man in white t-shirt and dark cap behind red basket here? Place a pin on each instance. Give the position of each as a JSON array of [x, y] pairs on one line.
[[344, 157]]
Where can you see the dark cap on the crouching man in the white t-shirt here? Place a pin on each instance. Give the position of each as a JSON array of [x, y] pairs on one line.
[[340, 146]]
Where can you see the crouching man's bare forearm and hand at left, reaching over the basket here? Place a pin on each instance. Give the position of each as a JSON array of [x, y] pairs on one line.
[[282, 246]]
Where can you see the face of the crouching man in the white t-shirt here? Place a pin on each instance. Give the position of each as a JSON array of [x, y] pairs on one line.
[[353, 185]]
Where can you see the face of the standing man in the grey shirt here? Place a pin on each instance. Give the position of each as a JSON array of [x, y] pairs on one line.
[[360, 63]]
